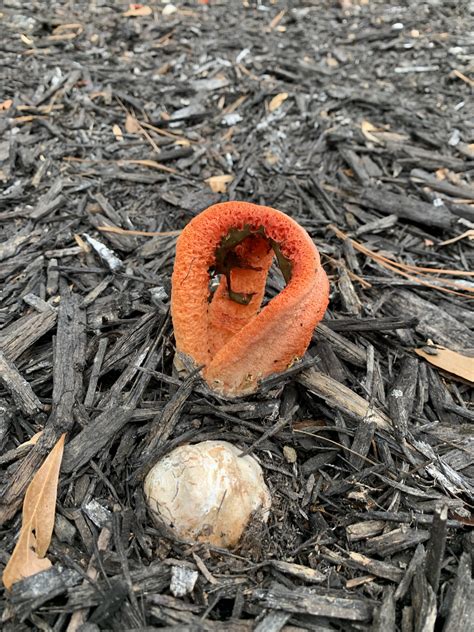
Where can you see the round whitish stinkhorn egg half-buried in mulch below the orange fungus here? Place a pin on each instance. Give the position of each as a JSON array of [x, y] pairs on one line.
[[206, 492]]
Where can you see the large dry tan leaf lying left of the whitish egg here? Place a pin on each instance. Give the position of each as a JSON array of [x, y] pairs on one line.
[[39, 509]]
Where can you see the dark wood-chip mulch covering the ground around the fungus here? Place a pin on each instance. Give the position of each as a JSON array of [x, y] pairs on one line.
[[355, 118]]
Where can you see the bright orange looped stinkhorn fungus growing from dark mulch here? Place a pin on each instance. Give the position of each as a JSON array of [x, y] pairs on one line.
[[227, 333]]
